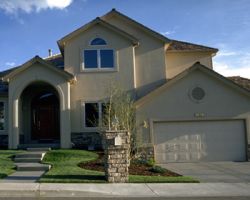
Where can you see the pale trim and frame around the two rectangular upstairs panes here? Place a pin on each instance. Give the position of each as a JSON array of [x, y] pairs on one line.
[[99, 68]]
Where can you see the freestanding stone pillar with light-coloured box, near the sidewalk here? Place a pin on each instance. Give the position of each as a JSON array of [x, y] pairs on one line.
[[116, 148]]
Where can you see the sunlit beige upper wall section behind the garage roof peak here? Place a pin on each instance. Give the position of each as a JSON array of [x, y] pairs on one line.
[[177, 62]]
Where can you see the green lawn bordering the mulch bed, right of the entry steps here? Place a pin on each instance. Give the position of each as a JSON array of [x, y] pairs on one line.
[[65, 170]]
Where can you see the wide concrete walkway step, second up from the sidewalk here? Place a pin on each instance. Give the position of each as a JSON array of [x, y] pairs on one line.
[[32, 167]]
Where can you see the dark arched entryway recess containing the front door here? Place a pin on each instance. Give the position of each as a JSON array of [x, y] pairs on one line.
[[40, 117]]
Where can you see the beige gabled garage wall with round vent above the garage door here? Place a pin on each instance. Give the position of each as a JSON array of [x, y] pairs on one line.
[[221, 102]]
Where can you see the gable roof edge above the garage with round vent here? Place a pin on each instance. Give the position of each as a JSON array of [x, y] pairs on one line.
[[196, 66]]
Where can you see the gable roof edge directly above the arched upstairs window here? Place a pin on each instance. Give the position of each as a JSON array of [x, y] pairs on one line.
[[98, 20]]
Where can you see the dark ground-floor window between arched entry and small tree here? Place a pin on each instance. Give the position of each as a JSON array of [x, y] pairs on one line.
[[94, 113]]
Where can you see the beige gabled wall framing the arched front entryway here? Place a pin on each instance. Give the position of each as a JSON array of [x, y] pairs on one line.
[[38, 72]]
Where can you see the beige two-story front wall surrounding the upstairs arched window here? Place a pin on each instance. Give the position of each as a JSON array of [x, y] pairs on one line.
[[92, 86]]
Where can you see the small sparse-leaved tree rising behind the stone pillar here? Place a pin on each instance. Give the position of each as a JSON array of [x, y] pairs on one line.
[[119, 113]]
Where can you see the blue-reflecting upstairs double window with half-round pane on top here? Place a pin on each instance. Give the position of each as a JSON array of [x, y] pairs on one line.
[[98, 57]]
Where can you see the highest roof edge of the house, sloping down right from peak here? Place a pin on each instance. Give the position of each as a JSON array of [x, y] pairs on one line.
[[114, 12]]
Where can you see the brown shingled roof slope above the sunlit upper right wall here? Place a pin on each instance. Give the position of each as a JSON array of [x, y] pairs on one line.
[[176, 45]]
